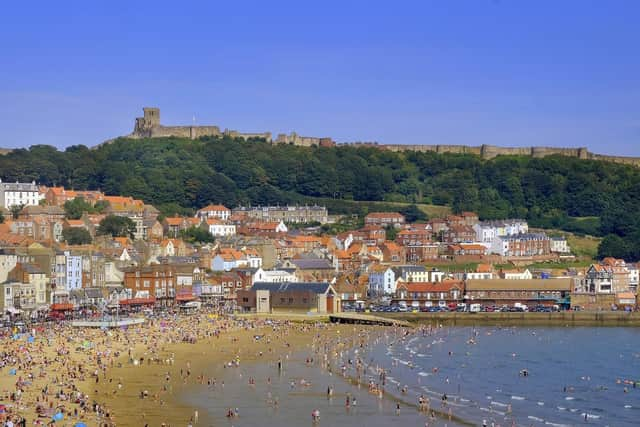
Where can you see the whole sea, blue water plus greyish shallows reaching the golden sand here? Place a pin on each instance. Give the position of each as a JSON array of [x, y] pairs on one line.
[[496, 376]]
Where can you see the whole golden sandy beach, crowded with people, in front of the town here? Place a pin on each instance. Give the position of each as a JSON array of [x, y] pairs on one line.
[[132, 376]]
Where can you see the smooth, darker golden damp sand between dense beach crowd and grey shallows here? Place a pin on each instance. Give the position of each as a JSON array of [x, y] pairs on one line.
[[178, 367]]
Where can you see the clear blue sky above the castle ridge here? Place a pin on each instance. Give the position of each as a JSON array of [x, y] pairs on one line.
[[503, 72]]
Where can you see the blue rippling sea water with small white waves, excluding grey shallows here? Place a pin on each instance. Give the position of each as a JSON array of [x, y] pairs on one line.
[[576, 376]]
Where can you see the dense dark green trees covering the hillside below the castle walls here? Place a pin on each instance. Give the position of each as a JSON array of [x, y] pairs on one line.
[[179, 175]]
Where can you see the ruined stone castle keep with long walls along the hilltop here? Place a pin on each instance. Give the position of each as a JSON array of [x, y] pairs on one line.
[[149, 126]]
